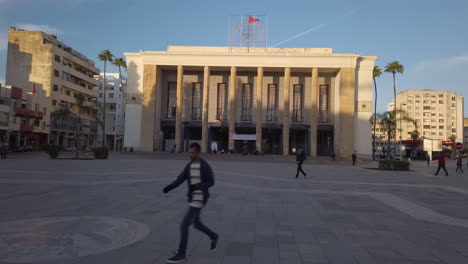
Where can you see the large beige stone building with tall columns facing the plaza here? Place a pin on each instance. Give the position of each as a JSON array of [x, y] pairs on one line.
[[273, 100]]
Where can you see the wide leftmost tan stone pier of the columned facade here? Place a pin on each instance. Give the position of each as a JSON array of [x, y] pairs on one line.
[[148, 108]]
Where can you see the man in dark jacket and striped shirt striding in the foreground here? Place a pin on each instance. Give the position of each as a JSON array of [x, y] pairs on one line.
[[200, 178]]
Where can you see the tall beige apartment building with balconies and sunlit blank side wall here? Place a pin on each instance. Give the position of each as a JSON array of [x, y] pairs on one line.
[[39, 62]]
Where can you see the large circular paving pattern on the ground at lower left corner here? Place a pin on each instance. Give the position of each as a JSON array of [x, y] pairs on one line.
[[56, 238]]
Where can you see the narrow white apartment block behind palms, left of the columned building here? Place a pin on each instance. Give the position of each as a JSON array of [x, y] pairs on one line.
[[115, 87]]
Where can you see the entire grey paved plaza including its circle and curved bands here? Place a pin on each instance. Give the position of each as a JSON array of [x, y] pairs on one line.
[[114, 211]]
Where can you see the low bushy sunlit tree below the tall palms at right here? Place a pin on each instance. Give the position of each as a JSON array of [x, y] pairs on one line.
[[388, 122]]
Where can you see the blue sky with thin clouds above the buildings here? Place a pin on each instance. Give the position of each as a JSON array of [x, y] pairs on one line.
[[428, 37]]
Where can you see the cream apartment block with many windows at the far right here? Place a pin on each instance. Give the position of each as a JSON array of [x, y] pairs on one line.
[[438, 114]]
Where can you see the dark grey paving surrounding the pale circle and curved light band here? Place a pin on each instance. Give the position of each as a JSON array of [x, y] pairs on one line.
[[263, 216]]
